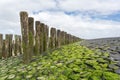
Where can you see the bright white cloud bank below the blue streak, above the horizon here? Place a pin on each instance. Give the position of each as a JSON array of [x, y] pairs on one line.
[[85, 28]]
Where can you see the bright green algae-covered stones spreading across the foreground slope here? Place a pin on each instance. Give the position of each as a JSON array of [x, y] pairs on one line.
[[71, 62]]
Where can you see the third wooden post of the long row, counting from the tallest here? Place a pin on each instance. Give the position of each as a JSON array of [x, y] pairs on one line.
[[37, 38]]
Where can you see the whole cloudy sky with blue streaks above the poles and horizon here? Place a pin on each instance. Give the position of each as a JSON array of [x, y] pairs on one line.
[[87, 19]]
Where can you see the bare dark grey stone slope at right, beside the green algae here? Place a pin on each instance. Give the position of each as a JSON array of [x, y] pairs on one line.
[[110, 45]]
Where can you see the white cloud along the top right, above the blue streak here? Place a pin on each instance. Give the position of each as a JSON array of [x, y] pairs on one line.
[[100, 6]]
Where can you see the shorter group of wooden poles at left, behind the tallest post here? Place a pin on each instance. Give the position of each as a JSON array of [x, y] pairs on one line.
[[9, 46]]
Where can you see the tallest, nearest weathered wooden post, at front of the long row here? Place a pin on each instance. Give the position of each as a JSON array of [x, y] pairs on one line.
[[25, 36]]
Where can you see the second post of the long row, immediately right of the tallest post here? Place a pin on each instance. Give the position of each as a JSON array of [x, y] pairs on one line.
[[31, 35]]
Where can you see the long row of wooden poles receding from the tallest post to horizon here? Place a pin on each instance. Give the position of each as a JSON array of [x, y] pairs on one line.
[[37, 41]]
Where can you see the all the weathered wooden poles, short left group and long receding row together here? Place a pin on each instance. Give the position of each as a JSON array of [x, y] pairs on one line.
[[35, 39]]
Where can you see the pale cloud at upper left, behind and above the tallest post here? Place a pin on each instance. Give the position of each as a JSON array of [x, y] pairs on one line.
[[9, 12]]
